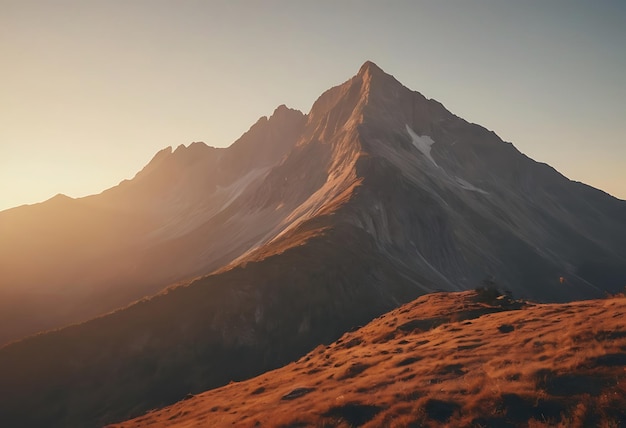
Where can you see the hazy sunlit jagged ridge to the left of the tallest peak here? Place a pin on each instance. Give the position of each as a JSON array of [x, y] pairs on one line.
[[68, 260]]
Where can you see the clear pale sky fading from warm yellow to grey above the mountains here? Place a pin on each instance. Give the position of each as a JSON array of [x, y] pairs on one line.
[[90, 90]]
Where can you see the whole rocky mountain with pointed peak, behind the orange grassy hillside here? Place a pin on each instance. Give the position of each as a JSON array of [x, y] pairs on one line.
[[374, 198]]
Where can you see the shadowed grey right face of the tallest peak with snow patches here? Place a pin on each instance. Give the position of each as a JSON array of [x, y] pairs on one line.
[[455, 200]]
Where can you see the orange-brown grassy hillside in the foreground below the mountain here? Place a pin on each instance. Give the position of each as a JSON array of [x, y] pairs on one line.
[[470, 359]]
